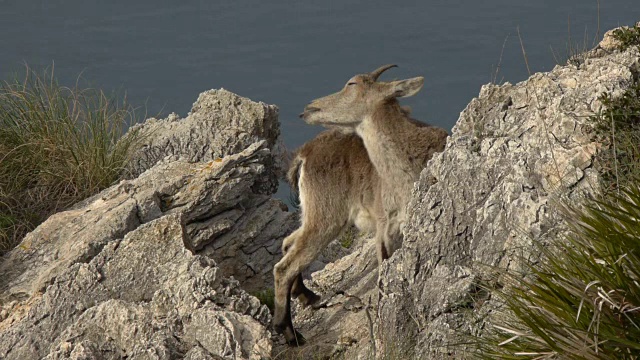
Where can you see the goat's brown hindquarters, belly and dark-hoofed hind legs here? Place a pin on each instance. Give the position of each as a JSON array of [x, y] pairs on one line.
[[338, 186]]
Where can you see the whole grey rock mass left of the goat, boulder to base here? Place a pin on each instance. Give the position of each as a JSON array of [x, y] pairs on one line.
[[153, 266]]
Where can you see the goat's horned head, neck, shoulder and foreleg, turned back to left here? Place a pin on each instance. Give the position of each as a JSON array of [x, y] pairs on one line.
[[398, 146]]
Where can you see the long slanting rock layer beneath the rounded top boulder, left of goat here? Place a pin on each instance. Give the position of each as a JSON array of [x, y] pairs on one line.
[[201, 192]]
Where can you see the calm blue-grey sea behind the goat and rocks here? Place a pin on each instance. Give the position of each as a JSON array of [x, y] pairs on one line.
[[164, 53]]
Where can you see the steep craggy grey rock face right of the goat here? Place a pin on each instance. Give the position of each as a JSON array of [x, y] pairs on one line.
[[514, 150]]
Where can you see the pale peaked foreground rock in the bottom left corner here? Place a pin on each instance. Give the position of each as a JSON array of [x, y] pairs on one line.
[[139, 297]]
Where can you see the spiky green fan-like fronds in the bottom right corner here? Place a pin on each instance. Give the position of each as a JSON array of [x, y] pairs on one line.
[[583, 300]]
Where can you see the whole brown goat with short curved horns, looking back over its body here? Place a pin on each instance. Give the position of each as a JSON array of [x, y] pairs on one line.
[[396, 148]]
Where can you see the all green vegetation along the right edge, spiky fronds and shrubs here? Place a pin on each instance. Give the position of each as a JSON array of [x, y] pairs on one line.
[[582, 300]]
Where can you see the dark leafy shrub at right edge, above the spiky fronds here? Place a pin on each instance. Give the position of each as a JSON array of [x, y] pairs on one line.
[[617, 128]]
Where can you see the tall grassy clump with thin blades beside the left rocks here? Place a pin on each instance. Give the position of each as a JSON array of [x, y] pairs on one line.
[[58, 145]]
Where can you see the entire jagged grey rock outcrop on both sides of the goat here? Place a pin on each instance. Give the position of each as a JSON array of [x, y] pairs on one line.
[[159, 265]]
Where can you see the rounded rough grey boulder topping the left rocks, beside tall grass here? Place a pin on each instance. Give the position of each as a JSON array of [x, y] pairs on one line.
[[220, 123]]
